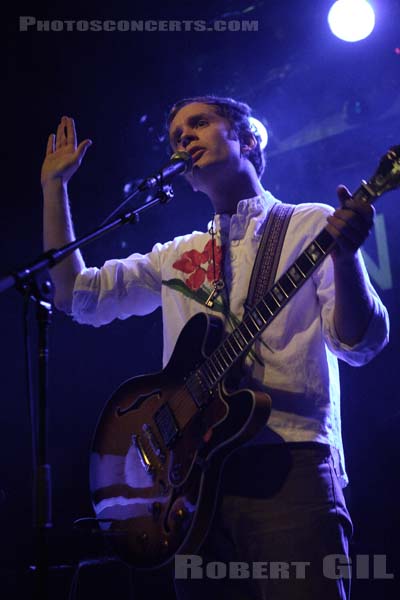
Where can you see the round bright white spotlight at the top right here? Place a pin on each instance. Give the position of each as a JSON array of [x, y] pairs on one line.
[[351, 20]]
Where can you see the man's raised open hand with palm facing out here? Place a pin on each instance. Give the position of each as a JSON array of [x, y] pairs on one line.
[[63, 156]]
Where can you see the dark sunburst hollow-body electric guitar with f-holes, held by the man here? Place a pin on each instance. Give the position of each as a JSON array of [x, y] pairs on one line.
[[154, 470]]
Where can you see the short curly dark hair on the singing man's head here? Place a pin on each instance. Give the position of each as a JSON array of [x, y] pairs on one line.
[[237, 113]]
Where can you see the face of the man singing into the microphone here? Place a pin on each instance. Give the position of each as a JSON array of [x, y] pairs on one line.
[[208, 137]]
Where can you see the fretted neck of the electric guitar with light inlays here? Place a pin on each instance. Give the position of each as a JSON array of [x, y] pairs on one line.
[[255, 321]]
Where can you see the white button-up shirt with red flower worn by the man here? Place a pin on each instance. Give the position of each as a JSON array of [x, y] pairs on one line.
[[299, 349]]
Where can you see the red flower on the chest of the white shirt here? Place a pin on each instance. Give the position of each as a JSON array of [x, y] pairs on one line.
[[200, 265]]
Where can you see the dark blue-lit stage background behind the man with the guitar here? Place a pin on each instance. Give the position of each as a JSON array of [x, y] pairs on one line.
[[331, 108]]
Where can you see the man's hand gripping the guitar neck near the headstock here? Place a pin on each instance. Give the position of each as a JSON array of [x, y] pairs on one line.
[[350, 224]]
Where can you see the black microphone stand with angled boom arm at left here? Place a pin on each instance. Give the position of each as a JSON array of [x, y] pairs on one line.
[[34, 282]]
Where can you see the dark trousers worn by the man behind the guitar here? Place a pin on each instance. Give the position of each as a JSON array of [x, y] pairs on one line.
[[280, 531]]
